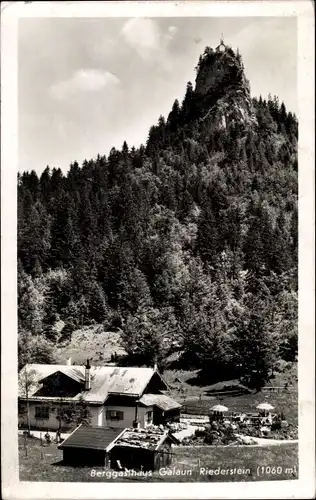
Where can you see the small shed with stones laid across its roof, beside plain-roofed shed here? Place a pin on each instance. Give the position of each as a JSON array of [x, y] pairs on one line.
[[142, 449]]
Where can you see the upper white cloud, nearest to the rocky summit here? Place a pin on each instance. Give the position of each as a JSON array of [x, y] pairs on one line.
[[146, 37]]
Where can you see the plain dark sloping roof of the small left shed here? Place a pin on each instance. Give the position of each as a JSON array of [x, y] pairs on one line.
[[92, 438]]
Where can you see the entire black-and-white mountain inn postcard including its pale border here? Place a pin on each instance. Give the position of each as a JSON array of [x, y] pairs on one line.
[[157, 263]]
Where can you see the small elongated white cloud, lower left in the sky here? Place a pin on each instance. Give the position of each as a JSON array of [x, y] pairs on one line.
[[83, 80]]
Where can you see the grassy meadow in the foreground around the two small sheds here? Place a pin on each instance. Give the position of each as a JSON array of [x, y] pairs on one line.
[[41, 464]]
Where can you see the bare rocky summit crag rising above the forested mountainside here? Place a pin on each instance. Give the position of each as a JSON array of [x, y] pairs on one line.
[[223, 90]]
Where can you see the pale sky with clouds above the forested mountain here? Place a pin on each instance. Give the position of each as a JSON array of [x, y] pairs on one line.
[[87, 84]]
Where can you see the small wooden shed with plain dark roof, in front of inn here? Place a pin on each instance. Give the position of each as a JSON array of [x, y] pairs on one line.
[[86, 446]]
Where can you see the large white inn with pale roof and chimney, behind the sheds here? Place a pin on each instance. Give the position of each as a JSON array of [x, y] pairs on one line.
[[61, 396]]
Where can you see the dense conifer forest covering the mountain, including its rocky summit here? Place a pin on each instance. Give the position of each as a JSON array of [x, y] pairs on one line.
[[188, 243]]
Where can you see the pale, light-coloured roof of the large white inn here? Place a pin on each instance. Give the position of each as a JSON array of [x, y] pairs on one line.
[[105, 380]]
